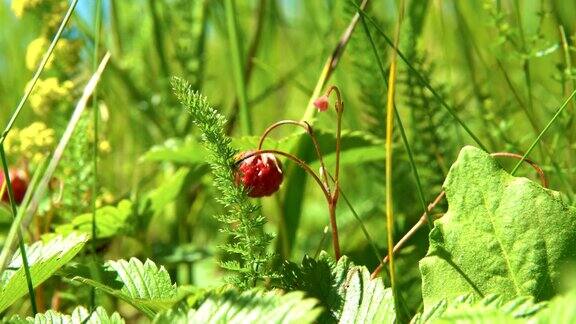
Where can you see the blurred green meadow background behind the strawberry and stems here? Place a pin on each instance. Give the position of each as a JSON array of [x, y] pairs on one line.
[[504, 66]]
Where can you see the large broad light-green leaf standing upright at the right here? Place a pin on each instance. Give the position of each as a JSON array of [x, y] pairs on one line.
[[501, 235]]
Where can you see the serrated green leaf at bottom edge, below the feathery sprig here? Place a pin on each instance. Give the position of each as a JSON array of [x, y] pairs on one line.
[[247, 307]]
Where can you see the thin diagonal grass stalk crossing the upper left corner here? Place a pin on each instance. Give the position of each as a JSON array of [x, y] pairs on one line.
[[41, 67]]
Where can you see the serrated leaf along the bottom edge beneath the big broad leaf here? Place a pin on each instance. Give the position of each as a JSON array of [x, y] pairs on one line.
[[491, 309]]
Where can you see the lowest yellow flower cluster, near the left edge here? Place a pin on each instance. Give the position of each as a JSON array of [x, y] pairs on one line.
[[31, 143]]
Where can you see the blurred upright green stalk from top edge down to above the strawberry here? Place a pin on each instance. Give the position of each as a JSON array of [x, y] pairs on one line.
[[238, 69]]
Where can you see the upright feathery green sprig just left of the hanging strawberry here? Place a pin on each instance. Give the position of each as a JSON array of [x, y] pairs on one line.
[[242, 221]]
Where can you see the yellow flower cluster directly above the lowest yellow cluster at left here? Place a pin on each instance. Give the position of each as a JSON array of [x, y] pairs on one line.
[[48, 93]]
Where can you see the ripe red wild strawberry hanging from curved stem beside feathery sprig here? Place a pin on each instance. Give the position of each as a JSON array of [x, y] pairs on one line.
[[260, 174]]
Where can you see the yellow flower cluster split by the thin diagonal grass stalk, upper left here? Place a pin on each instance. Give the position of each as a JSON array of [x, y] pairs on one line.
[[66, 51]]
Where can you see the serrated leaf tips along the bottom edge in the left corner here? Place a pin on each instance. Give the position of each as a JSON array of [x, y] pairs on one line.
[[80, 315]]
